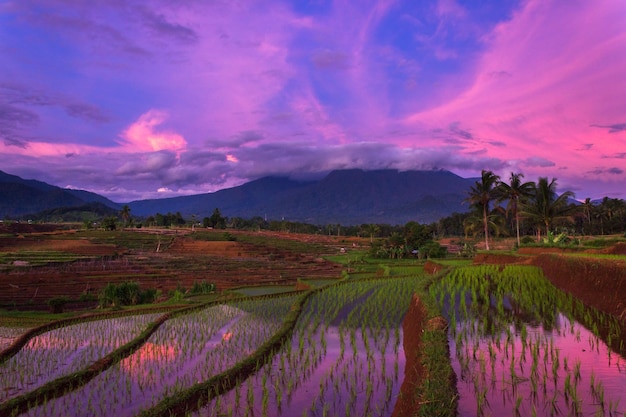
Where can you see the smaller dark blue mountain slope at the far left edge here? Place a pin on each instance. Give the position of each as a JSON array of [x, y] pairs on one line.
[[19, 197]]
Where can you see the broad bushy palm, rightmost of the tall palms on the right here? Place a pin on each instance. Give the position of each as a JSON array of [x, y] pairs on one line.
[[545, 206]]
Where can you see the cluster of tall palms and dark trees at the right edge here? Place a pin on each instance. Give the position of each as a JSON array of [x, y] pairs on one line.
[[533, 209]]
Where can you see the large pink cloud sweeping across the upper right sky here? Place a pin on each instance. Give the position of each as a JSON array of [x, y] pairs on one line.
[[547, 76]]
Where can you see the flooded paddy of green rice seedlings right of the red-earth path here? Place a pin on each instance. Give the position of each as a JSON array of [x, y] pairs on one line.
[[513, 311]]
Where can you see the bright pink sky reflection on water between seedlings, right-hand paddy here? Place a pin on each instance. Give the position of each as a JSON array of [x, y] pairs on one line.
[[572, 341]]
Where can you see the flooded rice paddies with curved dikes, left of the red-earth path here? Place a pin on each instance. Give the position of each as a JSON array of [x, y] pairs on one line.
[[343, 355]]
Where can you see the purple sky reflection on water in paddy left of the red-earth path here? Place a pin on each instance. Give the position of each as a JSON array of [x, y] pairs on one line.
[[328, 371]]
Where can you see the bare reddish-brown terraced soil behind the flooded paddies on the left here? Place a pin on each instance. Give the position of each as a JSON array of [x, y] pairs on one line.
[[227, 264]]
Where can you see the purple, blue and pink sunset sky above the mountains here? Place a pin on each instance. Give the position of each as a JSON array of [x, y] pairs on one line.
[[161, 98]]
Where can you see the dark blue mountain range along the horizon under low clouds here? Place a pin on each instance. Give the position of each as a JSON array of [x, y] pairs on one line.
[[347, 197]]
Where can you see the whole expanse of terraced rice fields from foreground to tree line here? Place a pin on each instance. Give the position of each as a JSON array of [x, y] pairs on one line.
[[487, 340]]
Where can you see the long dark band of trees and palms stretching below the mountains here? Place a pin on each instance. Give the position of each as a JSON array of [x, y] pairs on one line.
[[526, 210]]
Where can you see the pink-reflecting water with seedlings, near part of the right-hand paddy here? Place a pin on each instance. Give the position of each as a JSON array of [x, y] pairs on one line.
[[534, 368]]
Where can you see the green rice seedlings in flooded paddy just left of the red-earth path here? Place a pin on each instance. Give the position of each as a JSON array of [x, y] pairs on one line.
[[355, 318]]
